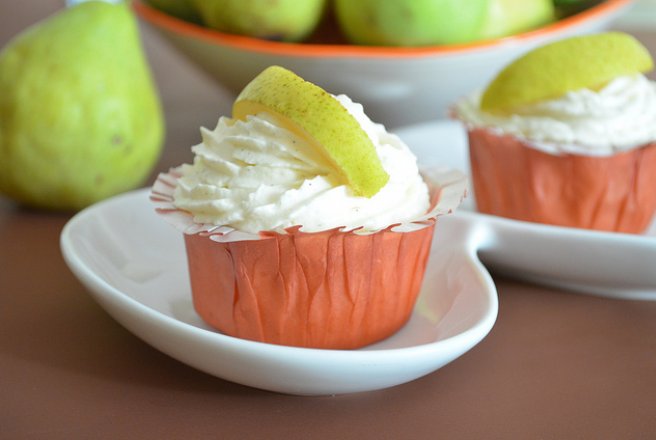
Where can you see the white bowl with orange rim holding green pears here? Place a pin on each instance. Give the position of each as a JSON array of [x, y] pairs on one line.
[[397, 86]]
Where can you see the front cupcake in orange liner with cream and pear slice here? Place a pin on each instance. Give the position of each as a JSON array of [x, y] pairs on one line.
[[305, 223]]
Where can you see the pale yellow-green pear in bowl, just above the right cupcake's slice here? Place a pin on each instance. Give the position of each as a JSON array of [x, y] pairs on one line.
[[509, 17]]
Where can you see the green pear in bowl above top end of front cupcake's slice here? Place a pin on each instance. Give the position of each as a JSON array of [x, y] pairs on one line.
[[280, 20]]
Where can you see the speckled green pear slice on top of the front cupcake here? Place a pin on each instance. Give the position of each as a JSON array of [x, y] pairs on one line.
[[313, 113]]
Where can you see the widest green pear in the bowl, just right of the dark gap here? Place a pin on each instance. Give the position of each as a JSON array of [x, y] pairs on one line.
[[410, 22]]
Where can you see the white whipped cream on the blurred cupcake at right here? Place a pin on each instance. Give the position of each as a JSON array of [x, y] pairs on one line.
[[619, 117]]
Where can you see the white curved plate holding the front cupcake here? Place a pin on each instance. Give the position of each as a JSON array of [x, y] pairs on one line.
[[134, 265]]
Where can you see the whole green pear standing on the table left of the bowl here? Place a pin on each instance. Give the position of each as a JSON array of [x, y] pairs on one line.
[[80, 119]]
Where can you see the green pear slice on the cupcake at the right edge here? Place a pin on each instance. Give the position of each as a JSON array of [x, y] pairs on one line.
[[550, 71]]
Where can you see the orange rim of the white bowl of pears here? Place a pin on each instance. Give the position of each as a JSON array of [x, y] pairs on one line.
[[178, 26]]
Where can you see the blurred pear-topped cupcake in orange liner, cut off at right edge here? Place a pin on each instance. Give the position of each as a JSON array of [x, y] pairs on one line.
[[566, 135]]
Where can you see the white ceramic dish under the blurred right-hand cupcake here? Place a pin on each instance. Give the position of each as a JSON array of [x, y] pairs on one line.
[[601, 263]]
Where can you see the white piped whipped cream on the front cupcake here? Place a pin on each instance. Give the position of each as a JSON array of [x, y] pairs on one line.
[[255, 175]]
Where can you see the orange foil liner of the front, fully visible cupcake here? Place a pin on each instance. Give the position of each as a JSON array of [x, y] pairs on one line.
[[332, 289]]
